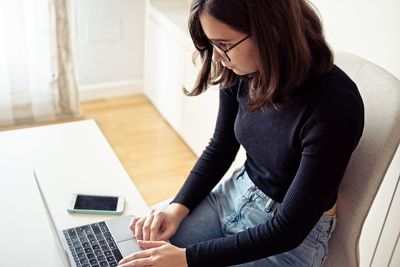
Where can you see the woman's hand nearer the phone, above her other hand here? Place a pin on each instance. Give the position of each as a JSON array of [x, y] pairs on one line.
[[159, 225]]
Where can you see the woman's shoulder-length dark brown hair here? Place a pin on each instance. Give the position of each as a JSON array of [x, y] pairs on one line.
[[289, 38]]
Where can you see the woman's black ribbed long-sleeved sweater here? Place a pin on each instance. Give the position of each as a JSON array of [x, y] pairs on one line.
[[296, 154]]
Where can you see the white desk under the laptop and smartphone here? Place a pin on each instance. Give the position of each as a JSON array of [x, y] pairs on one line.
[[68, 158]]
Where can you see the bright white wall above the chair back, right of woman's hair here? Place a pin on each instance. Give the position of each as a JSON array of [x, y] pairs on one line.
[[367, 28]]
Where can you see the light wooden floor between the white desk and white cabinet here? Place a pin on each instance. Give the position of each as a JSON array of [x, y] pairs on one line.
[[155, 157]]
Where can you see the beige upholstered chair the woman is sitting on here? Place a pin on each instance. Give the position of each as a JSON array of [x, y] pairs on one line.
[[368, 165]]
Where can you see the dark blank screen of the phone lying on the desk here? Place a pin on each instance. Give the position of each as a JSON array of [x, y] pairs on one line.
[[96, 203]]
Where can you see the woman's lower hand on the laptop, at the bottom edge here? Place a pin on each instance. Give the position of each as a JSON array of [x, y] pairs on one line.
[[157, 254]]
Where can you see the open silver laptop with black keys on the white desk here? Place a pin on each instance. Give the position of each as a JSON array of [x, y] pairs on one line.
[[100, 244]]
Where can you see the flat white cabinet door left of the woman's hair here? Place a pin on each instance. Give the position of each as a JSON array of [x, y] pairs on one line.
[[163, 71]]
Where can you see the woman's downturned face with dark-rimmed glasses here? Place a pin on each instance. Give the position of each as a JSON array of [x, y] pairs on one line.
[[244, 56]]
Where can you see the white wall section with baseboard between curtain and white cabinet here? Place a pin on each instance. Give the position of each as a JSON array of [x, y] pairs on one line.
[[109, 40]]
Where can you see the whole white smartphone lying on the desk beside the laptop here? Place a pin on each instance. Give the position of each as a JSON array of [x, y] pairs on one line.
[[96, 204]]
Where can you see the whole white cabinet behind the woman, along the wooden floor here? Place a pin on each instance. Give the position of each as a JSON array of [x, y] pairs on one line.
[[169, 68]]
